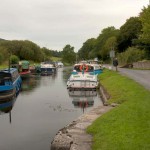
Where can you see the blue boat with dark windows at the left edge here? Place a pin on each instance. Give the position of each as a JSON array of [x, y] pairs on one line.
[[10, 83]]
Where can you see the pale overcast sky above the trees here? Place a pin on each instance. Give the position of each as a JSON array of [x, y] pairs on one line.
[[56, 23]]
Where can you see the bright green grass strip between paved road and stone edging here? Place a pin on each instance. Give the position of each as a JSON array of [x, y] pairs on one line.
[[126, 127]]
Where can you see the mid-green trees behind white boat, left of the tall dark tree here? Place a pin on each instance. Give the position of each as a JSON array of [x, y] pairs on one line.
[[100, 46]]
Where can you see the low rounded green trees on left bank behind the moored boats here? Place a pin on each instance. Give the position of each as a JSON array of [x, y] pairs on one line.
[[25, 50]]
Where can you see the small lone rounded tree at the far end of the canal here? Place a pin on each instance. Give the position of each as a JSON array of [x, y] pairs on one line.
[[68, 54]]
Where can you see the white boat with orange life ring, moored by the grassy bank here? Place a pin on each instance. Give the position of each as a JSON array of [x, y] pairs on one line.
[[82, 77]]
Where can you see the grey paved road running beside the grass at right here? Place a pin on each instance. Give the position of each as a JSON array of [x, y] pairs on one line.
[[140, 76]]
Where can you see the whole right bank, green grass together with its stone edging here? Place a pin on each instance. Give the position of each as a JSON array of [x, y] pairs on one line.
[[125, 127]]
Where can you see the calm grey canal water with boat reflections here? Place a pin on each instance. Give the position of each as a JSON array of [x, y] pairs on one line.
[[44, 106]]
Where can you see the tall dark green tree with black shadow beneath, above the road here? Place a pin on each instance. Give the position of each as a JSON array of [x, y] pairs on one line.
[[128, 32]]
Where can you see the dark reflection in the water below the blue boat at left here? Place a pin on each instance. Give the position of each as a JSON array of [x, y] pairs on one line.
[[6, 106]]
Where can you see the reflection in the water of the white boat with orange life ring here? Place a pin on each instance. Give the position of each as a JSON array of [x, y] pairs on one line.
[[82, 99]]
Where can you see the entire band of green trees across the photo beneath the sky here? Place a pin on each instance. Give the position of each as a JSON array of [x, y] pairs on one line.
[[131, 43]]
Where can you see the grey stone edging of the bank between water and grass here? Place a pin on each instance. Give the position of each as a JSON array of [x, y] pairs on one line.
[[74, 135]]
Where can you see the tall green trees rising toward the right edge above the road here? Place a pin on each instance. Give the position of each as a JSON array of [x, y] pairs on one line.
[[131, 40]]
